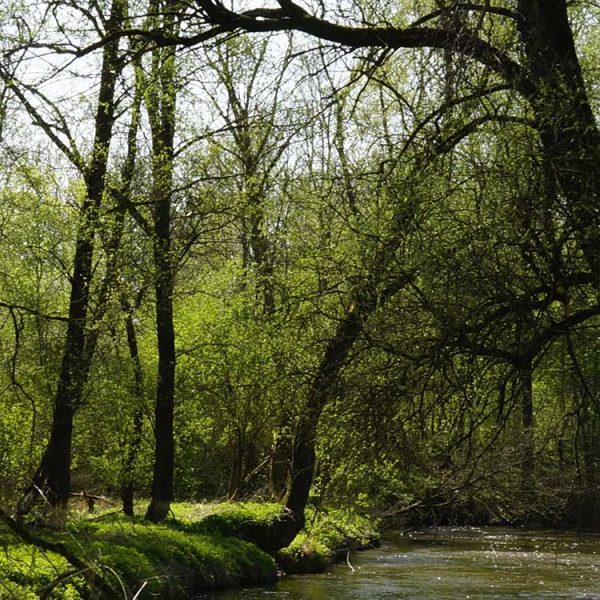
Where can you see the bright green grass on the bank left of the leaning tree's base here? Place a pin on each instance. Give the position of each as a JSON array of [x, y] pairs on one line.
[[173, 560]]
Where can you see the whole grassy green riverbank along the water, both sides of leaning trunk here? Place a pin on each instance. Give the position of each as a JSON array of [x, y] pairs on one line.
[[201, 547]]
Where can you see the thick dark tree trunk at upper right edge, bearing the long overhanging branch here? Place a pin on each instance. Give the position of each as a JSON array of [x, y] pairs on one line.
[[567, 126]]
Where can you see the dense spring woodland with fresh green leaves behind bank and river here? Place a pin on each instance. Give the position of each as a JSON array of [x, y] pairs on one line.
[[343, 255]]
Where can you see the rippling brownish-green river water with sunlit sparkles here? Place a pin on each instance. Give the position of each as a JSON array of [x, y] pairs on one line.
[[454, 563]]
